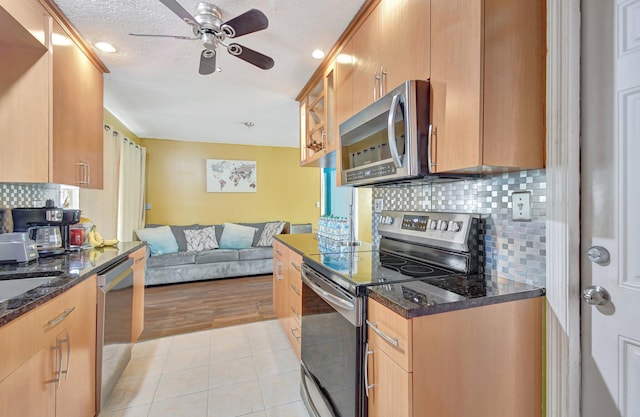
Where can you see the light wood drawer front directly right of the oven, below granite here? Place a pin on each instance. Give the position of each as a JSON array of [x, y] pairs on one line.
[[391, 333]]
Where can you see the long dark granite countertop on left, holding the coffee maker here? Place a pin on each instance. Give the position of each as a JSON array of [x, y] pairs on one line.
[[66, 271]]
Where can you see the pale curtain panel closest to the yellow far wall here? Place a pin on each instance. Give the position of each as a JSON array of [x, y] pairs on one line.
[[131, 189]]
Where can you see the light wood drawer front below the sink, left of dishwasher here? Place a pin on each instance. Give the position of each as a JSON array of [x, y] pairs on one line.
[[23, 337]]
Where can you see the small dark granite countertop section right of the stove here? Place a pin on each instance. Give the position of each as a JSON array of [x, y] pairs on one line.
[[438, 295]]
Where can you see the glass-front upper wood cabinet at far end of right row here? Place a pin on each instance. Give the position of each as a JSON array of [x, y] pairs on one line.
[[318, 127]]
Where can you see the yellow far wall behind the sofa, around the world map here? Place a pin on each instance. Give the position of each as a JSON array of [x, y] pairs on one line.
[[176, 185]]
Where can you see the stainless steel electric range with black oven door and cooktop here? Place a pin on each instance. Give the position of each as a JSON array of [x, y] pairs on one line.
[[413, 246]]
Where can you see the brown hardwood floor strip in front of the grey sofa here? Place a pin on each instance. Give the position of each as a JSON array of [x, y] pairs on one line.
[[190, 307]]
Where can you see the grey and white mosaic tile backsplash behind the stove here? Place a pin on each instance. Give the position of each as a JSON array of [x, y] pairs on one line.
[[515, 250]]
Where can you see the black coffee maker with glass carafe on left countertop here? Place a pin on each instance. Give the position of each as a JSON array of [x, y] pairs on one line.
[[41, 220]]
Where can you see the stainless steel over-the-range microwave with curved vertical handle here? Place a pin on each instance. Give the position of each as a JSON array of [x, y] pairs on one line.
[[388, 141]]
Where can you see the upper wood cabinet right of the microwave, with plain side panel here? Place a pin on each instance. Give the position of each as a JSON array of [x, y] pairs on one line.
[[487, 85]]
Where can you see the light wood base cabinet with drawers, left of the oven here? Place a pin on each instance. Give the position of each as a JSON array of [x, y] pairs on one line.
[[287, 292]]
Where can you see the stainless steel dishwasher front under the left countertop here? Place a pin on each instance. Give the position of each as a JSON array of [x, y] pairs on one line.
[[115, 310]]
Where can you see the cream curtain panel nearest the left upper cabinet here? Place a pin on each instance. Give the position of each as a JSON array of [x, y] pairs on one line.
[[101, 206]]
